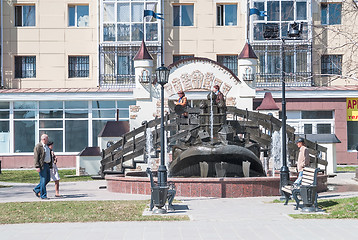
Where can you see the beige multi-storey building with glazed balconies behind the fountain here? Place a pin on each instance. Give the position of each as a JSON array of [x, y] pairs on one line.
[[67, 66]]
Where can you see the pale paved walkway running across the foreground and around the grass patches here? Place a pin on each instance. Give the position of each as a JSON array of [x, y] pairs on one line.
[[211, 218]]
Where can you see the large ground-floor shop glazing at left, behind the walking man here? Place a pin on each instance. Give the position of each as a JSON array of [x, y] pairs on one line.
[[72, 125]]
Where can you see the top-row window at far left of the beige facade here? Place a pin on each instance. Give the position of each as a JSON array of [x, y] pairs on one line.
[[25, 15]]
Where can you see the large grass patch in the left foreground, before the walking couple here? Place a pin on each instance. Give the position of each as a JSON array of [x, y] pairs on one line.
[[78, 211]]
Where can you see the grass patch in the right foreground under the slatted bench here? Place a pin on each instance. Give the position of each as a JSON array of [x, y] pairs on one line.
[[346, 208]]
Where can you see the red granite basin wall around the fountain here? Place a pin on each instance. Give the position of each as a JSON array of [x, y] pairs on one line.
[[207, 187]]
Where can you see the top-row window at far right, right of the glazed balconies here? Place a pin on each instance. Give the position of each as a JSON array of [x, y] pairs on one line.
[[331, 13]]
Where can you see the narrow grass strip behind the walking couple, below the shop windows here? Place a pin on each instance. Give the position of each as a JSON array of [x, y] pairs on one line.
[[31, 176]]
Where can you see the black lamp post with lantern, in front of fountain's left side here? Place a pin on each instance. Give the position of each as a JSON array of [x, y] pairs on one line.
[[162, 78]]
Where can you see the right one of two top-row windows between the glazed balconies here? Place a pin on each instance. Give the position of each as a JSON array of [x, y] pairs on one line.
[[226, 15]]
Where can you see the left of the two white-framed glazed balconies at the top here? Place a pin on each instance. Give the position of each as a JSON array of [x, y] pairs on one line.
[[123, 21]]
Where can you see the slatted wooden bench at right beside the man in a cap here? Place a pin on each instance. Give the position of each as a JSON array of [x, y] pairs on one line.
[[309, 179]]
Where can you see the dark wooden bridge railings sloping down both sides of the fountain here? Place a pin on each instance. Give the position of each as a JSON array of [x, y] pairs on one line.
[[256, 127]]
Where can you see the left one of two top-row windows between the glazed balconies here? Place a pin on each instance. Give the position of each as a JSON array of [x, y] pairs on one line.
[[183, 15]]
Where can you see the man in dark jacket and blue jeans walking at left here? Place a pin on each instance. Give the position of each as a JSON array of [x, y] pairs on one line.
[[42, 159]]
